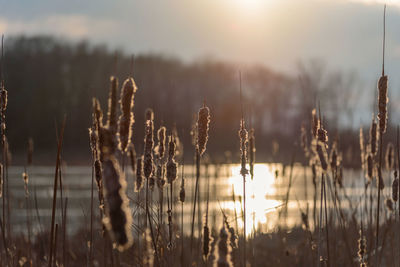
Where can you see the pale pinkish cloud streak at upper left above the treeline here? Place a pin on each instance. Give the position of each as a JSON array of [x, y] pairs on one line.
[[71, 26]]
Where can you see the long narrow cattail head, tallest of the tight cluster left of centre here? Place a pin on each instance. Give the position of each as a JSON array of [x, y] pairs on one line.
[[148, 145]]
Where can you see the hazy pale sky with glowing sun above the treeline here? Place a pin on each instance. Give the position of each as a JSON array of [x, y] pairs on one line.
[[344, 34]]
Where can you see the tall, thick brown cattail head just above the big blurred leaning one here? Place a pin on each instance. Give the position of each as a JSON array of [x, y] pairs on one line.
[[126, 119]]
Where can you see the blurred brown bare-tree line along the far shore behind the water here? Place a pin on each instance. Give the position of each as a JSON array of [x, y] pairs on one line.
[[48, 78]]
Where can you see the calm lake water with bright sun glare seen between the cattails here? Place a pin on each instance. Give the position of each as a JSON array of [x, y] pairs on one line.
[[266, 195]]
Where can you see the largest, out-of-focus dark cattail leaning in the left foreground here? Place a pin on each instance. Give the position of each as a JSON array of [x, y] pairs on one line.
[[119, 218]]
